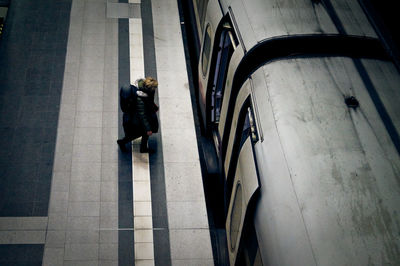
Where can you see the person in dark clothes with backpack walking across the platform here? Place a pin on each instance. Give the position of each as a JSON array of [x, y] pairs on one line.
[[139, 112]]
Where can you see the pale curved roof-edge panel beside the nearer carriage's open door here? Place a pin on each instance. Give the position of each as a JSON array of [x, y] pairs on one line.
[[278, 220]]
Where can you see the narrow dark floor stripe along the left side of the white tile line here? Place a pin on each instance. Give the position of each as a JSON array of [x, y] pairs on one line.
[[126, 255]]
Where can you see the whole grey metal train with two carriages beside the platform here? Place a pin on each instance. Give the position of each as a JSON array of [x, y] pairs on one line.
[[304, 109]]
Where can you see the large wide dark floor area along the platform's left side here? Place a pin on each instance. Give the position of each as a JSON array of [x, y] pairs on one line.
[[32, 59]]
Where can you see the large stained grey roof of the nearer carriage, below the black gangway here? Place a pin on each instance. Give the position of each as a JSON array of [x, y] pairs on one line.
[[330, 175]]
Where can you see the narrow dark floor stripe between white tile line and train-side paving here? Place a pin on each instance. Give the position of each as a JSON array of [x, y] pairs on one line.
[[162, 254]]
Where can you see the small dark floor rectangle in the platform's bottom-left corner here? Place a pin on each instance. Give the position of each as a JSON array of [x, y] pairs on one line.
[[18, 255]]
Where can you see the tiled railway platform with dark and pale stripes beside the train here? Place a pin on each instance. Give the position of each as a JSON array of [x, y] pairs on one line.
[[68, 195]]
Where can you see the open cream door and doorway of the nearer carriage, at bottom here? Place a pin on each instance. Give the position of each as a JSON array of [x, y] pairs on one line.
[[241, 237]]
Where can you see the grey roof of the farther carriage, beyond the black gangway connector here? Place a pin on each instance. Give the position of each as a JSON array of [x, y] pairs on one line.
[[258, 20]]
